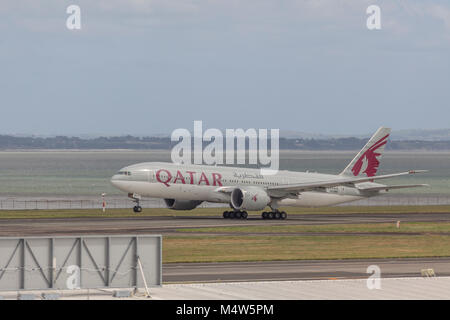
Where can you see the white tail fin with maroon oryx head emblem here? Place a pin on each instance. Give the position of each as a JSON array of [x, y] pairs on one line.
[[367, 161]]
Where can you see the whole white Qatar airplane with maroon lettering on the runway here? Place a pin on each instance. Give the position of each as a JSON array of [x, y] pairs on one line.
[[186, 186]]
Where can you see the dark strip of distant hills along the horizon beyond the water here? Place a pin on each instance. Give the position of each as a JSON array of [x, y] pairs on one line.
[[164, 143]]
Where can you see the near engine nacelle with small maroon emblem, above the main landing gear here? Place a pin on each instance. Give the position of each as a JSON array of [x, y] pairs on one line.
[[251, 198]]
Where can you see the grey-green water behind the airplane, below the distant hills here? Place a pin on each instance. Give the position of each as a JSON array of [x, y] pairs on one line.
[[87, 173]]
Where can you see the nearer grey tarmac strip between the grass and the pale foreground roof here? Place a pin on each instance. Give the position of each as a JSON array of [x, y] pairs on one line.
[[301, 270]]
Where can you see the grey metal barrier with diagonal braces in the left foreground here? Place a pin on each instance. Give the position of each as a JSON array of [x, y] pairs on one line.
[[74, 262]]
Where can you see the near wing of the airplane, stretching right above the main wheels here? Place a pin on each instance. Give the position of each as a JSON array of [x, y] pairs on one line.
[[297, 188]]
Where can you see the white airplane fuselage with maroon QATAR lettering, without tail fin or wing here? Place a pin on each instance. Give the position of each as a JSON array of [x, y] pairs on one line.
[[202, 182]]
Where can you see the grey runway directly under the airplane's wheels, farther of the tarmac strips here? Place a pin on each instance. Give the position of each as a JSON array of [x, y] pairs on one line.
[[170, 224]]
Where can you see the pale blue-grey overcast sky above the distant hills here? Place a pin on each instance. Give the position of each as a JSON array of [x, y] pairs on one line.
[[150, 66]]
